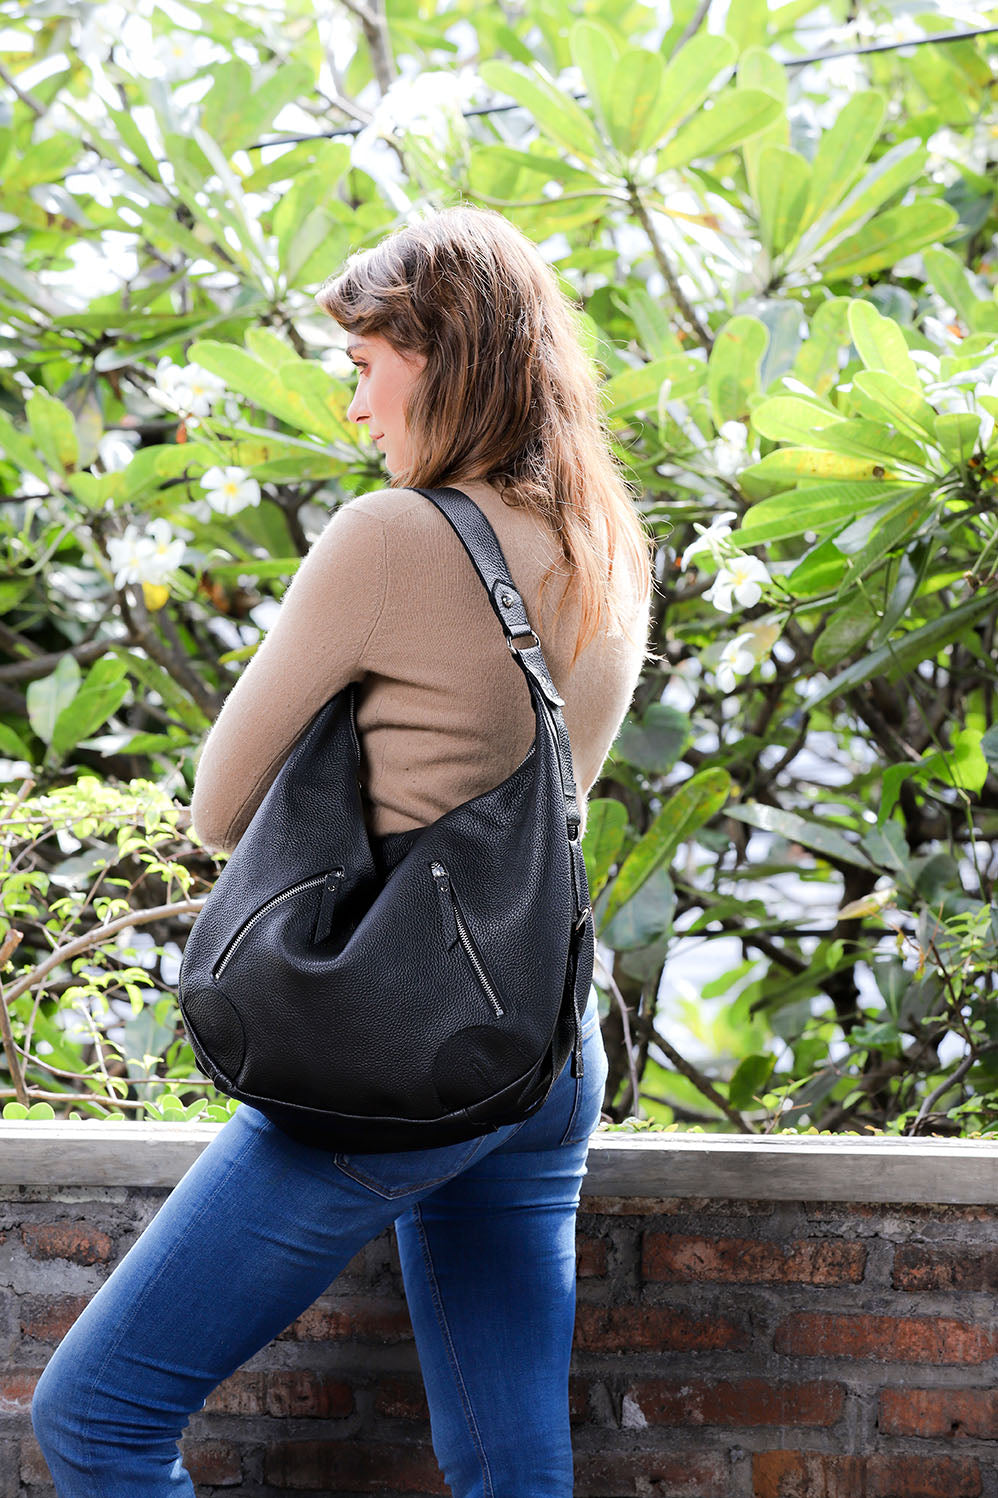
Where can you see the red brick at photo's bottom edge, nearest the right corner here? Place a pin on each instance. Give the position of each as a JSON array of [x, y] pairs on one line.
[[814, 1475]]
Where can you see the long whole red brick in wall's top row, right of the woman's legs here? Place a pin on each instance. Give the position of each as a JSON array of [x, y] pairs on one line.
[[748, 1261]]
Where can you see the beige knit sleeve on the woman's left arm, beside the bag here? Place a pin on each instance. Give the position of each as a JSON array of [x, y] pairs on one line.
[[312, 651]]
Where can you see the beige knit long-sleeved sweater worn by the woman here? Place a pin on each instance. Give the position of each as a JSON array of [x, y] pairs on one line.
[[387, 597]]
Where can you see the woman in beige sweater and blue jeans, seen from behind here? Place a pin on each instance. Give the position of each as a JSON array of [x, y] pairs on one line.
[[470, 375]]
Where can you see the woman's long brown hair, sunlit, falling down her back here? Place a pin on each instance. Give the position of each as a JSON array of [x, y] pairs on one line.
[[507, 395]]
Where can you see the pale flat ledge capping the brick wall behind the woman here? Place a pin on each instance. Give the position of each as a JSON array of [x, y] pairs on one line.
[[778, 1168]]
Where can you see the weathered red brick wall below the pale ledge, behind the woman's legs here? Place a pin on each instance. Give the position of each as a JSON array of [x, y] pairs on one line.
[[725, 1349]]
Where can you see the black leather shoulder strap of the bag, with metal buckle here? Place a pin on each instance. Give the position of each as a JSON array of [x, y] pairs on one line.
[[483, 548]]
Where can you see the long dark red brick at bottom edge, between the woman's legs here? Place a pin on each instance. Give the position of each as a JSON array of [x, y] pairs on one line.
[[353, 1466]]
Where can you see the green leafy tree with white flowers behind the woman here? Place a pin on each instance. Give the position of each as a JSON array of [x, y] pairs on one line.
[[787, 281]]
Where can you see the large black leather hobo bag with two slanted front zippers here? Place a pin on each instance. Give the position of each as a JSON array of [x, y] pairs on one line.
[[405, 992]]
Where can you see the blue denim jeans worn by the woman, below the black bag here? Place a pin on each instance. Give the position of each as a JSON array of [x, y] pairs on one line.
[[260, 1226]]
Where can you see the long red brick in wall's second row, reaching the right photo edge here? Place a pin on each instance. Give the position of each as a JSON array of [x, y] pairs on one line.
[[886, 1338]]
